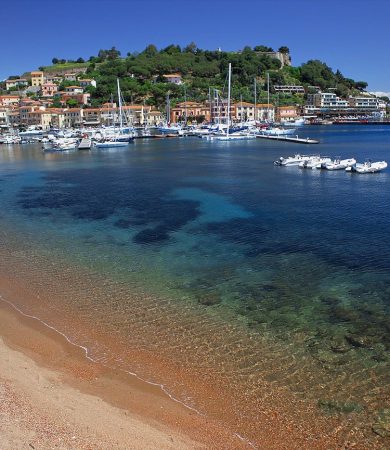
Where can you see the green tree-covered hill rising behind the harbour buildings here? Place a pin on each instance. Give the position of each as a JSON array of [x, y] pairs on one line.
[[142, 74]]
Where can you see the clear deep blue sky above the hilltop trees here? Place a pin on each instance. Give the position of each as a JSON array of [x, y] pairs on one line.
[[350, 35]]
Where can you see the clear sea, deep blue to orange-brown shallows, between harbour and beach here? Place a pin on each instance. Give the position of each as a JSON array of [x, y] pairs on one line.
[[203, 267]]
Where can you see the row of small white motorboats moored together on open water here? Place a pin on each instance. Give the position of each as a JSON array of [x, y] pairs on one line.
[[324, 162]]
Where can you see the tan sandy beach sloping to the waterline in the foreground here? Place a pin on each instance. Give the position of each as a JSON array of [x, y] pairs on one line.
[[51, 396]]
